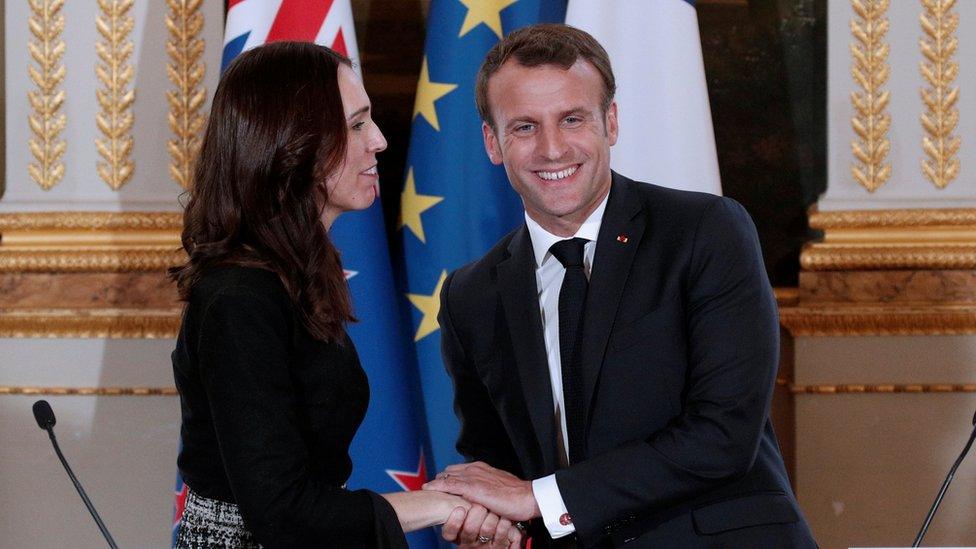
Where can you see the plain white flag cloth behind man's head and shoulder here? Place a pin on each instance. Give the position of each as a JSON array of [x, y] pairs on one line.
[[666, 134]]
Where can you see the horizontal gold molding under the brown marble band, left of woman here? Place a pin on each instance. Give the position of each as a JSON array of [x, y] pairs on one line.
[[90, 323]]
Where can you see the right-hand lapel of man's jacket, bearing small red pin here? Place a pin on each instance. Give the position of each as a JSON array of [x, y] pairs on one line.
[[620, 234]]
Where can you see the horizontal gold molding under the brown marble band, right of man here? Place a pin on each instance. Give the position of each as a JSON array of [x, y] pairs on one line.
[[875, 320]]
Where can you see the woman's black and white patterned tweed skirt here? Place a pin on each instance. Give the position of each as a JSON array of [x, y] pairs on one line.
[[212, 524]]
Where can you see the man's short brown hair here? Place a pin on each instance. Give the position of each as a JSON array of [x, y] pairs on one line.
[[544, 44]]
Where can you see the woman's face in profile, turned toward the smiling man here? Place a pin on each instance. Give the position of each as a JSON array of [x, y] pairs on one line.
[[356, 185]]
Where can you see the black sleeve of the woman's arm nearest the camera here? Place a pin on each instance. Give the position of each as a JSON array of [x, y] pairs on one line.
[[243, 356]]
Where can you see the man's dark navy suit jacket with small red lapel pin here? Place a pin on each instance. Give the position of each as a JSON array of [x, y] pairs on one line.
[[680, 348]]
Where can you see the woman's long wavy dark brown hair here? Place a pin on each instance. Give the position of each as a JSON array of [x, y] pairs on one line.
[[277, 130]]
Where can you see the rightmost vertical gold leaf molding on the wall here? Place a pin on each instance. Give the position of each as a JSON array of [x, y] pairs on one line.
[[938, 47]]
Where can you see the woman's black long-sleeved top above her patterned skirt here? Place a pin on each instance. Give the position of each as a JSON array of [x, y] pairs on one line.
[[268, 415]]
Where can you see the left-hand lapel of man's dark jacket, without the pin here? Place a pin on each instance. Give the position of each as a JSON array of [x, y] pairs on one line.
[[517, 287]]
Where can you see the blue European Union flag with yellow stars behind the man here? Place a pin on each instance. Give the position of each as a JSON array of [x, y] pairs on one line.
[[455, 203]]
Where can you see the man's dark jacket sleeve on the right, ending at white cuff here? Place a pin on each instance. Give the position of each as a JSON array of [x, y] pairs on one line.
[[733, 346]]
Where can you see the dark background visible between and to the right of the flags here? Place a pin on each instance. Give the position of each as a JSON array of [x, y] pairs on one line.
[[765, 62]]
